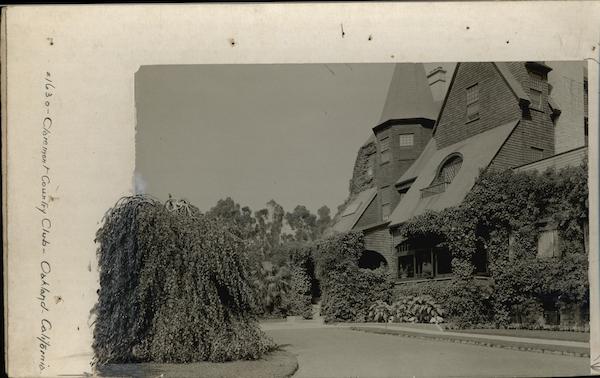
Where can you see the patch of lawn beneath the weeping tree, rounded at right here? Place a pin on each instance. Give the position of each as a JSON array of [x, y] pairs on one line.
[[277, 364]]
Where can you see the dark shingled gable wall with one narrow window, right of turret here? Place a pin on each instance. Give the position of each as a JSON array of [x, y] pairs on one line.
[[498, 105]]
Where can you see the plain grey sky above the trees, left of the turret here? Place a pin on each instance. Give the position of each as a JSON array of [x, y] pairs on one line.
[[255, 132]]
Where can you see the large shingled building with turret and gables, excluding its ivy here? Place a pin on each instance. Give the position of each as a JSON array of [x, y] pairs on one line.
[[426, 154]]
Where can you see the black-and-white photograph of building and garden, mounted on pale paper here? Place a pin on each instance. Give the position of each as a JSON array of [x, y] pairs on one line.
[[365, 220]]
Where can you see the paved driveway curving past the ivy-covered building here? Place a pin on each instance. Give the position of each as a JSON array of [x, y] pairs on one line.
[[338, 352]]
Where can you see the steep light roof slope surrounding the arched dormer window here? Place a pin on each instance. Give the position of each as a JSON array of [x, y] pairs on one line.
[[477, 153]]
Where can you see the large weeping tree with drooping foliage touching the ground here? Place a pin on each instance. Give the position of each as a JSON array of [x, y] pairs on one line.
[[174, 287]]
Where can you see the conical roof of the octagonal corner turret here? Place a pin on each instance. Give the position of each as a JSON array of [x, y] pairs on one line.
[[409, 95]]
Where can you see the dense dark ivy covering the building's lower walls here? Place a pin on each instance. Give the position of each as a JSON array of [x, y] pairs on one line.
[[501, 217]]
